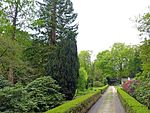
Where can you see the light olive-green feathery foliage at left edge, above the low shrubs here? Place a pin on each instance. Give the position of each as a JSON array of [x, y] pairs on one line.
[[11, 55]]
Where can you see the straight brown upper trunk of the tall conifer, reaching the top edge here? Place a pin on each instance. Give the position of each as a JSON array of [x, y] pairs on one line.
[[52, 37]]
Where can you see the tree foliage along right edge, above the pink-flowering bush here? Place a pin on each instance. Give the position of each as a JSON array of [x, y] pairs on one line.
[[143, 27]]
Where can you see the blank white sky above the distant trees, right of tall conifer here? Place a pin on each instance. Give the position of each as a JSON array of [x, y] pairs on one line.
[[104, 22]]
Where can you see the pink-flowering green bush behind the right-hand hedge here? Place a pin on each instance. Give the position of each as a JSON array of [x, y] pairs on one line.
[[139, 89]]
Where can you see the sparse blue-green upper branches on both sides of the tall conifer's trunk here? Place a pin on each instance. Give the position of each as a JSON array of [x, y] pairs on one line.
[[64, 21]]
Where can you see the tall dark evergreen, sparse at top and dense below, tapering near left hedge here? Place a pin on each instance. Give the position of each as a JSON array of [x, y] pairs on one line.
[[56, 28]]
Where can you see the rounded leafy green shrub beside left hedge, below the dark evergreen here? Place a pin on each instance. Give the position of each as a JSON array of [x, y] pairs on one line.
[[44, 93]]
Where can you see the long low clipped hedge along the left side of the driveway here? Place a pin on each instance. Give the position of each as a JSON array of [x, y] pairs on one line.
[[79, 105]]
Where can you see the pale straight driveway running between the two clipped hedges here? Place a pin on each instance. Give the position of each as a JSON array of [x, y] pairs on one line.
[[108, 103]]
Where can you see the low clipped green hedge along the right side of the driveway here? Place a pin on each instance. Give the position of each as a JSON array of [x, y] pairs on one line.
[[130, 104]]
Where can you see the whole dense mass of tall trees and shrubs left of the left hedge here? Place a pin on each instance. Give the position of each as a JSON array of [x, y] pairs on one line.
[[44, 61]]
